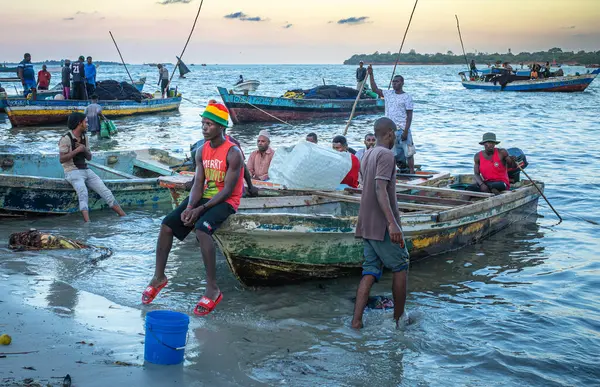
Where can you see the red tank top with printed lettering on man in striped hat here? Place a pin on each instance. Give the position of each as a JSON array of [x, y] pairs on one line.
[[214, 161]]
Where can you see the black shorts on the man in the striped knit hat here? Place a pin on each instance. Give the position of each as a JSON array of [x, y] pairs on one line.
[[208, 222]]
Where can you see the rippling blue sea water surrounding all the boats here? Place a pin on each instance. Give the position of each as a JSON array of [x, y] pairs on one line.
[[519, 308]]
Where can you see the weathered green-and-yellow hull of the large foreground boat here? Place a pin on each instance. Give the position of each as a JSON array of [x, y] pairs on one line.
[[273, 249]]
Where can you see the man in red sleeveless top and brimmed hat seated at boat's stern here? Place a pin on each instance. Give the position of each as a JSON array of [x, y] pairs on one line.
[[490, 172]]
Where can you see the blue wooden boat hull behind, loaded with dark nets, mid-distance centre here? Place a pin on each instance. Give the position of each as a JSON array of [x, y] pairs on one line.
[[254, 108]]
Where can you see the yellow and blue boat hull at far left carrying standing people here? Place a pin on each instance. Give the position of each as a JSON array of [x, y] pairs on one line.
[[22, 112]]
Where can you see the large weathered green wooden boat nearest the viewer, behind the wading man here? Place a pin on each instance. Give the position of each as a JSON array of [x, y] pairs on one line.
[[279, 240]]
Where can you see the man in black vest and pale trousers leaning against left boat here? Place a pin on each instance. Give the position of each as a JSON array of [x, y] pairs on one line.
[[74, 151]]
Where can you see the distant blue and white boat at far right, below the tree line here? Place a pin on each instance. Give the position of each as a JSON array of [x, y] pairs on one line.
[[569, 83]]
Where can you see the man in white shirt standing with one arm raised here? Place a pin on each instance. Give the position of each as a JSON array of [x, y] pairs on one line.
[[398, 108]]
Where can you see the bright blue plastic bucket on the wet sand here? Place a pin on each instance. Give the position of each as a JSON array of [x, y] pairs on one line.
[[166, 336]]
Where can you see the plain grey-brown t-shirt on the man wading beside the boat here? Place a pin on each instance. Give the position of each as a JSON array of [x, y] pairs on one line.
[[378, 163]]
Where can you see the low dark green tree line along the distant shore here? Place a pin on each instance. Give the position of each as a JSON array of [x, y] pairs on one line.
[[554, 54]]
